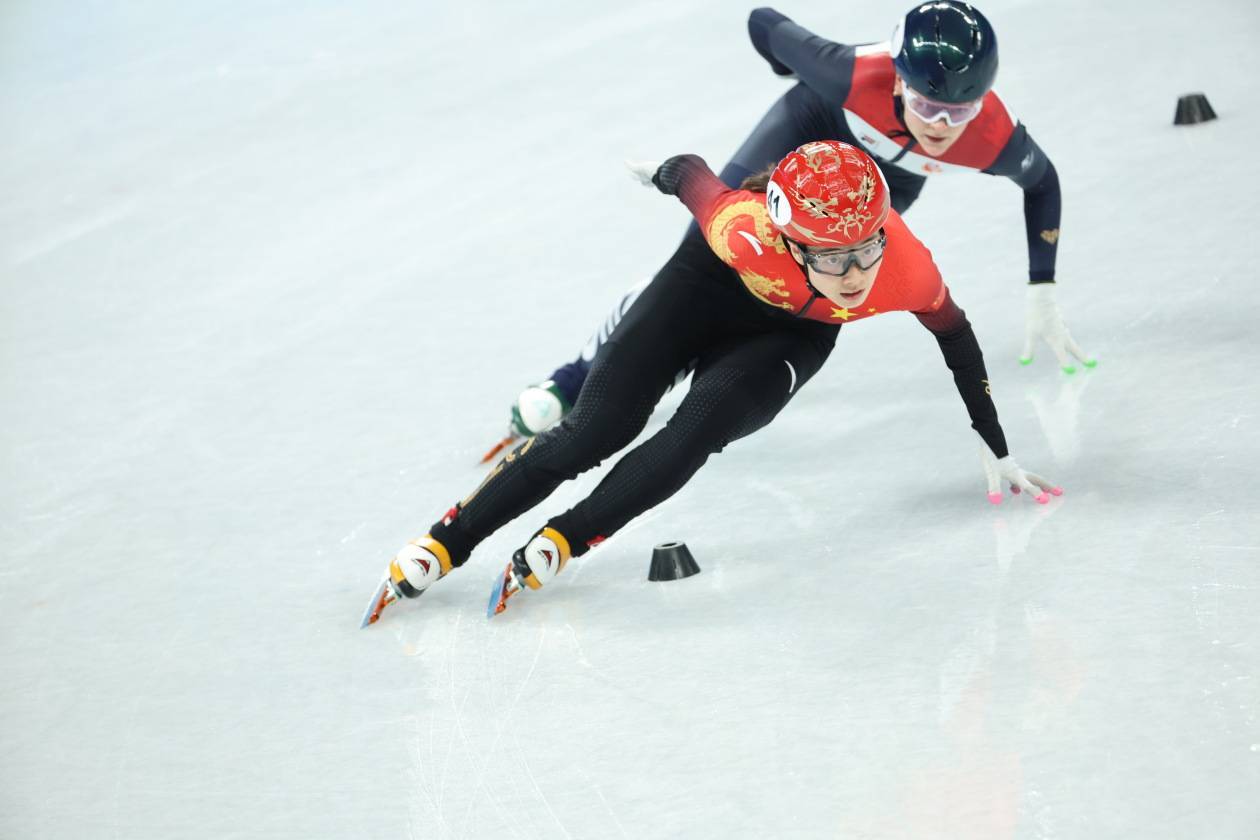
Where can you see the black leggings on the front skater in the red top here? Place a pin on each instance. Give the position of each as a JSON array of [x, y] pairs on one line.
[[752, 361]]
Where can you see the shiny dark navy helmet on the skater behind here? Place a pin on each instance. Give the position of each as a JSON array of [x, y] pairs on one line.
[[947, 51]]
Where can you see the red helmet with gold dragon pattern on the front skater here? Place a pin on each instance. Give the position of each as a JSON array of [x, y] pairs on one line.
[[828, 195]]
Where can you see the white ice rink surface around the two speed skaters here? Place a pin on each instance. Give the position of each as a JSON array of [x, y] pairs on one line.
[[273, 274]]
